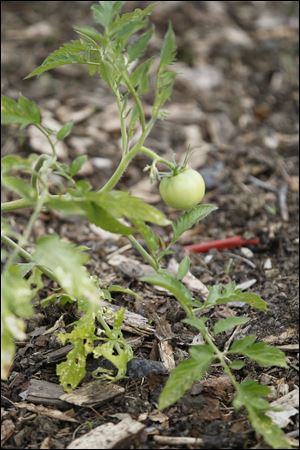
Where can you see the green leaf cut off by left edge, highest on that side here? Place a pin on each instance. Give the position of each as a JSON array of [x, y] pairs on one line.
[[23, 112]]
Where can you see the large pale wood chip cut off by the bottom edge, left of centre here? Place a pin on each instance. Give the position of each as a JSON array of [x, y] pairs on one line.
[[110, 436]]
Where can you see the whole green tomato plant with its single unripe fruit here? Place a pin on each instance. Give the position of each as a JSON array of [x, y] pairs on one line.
[[109, 53]]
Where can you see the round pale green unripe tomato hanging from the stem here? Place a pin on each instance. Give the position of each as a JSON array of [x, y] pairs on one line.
[[182, 191]]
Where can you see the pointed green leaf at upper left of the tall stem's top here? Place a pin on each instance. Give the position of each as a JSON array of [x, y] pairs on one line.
[[73, 52]]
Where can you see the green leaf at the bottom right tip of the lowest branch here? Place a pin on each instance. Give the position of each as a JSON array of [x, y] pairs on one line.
[[249, 395]]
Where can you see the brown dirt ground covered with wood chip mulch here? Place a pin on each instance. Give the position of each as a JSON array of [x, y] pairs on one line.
[[236, 101]]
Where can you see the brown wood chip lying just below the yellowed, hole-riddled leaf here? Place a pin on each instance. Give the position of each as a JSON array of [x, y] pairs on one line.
[[95, 393]]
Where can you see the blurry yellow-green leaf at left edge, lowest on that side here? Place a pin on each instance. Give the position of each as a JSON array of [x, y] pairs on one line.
[[16, 296]]
